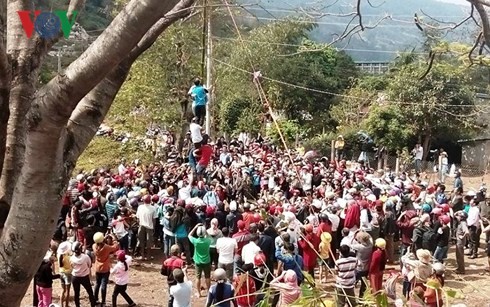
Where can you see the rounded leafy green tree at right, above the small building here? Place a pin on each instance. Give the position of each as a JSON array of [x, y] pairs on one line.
[[434, 104]]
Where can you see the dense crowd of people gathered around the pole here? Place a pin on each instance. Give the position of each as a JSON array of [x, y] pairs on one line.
[[255, 223]]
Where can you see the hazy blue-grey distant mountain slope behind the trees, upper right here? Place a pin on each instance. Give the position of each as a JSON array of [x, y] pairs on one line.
[[398, 33]]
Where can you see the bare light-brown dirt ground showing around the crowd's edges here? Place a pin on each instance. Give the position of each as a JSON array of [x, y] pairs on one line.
[[148, 288]]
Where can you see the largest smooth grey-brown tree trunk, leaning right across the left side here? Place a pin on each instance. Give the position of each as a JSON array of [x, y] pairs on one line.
[[36, 198]]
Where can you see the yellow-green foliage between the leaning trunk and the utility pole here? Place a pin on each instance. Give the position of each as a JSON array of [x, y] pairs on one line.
[[158, 82]]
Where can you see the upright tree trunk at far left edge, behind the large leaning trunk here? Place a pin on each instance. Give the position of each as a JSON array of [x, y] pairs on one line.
[[22, 72]]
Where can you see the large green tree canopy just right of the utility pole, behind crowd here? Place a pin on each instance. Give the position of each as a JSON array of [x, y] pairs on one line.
[[285, 58]]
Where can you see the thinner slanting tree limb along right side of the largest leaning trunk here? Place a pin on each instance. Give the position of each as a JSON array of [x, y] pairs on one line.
[[91, 111]]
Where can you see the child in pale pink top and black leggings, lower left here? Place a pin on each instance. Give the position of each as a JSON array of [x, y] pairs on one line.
[[120, 272]]
